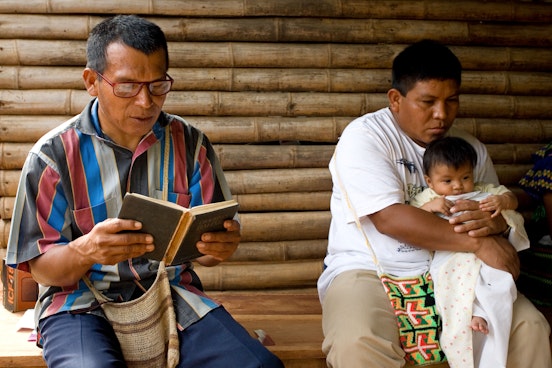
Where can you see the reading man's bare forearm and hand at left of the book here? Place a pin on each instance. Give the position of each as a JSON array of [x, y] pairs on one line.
[[64, 265]]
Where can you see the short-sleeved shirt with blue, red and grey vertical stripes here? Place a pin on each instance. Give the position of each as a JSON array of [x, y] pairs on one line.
[[74, 178]]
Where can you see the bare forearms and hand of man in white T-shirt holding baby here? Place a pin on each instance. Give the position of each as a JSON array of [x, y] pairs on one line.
[[403, 222]]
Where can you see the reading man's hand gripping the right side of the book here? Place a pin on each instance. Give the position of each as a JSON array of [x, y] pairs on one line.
[[219, 246]]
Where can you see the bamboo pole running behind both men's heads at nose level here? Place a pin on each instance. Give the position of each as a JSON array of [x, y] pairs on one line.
[[68, 102]]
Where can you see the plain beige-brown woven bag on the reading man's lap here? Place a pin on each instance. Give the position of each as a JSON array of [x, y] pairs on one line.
[[146, 326]]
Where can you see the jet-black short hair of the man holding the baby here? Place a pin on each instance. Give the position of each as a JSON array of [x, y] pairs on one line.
[[423, 61]]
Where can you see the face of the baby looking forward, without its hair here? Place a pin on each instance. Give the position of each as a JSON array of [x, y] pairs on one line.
[[445, 180]]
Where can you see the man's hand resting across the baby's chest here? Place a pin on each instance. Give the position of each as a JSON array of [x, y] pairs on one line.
[[475, 222]]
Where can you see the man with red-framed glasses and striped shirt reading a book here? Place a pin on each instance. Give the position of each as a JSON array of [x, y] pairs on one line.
[[65, 224]]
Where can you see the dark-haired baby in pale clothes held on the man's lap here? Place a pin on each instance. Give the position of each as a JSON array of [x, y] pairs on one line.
[[475, 287]]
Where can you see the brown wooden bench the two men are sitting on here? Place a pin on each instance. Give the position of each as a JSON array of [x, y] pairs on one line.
[[291, 318]]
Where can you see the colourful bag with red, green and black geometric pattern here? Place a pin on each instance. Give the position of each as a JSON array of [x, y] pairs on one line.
[[413, 300]]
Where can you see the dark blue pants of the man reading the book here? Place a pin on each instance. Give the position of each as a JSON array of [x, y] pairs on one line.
[[88, 341]]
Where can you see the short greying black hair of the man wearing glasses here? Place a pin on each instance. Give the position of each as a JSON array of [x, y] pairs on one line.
[[130, 30]]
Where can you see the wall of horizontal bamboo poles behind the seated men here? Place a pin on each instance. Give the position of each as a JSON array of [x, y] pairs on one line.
[[273, 84]]
